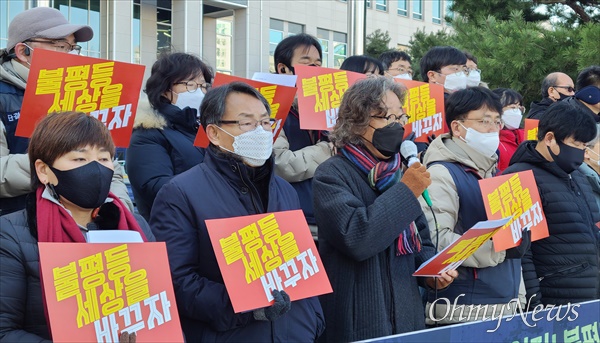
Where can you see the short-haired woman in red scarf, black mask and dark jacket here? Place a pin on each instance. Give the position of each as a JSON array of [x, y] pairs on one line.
[[70, 155]]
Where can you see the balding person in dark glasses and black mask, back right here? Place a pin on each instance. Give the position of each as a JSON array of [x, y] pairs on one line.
[[556, 86]]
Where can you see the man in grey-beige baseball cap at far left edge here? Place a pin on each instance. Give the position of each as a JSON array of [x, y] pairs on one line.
[[37, 28]]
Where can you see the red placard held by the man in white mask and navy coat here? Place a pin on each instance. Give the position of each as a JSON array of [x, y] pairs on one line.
[[263, 252]]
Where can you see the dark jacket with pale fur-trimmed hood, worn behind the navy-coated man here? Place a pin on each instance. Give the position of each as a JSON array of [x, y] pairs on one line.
[[162, 146]]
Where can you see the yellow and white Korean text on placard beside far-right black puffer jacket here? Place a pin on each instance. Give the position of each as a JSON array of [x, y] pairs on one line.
[[511, 199]]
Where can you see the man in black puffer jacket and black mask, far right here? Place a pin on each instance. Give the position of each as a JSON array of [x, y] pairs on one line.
[[562, 268]]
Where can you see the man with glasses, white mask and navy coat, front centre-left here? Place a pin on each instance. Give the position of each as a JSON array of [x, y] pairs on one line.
[[235, 179]]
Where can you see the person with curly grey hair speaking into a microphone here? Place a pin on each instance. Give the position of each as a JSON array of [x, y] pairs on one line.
[[372, 232]]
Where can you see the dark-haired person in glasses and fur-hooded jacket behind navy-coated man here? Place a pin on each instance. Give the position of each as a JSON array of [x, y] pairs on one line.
[[162, 142]]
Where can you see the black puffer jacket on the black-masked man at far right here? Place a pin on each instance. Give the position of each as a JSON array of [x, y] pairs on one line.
[[563, 267]]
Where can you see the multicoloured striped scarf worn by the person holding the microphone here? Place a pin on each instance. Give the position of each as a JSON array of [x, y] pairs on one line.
[[382, 175]]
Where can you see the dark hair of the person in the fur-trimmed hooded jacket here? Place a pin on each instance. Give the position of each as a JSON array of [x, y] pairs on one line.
[[173, 67]]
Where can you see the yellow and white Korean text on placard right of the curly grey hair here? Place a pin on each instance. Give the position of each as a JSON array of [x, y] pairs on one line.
[[422, 111]]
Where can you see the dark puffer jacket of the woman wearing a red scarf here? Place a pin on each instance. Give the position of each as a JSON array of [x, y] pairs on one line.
[[22, 316]]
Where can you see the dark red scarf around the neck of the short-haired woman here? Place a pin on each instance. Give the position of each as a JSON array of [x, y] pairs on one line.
[[55, 224]]
